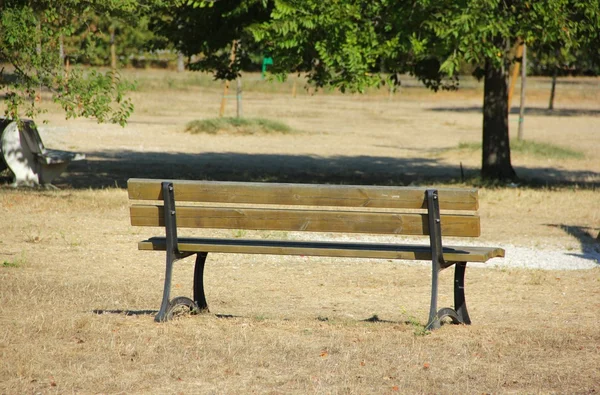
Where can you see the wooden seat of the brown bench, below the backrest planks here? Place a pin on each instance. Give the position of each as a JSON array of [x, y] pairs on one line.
[[332, 249]]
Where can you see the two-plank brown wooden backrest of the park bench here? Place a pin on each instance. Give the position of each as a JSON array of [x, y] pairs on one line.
[[319, 208]]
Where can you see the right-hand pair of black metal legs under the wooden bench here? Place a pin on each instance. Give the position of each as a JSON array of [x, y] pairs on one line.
[[458, 315]]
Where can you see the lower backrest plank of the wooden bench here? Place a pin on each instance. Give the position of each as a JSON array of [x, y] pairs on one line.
[[305, 220]]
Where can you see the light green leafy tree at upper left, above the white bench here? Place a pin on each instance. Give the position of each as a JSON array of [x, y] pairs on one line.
[[32, 33]]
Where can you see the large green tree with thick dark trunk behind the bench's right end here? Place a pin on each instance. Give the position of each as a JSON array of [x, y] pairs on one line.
[[342, 43]]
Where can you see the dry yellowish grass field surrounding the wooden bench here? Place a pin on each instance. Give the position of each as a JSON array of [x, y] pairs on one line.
[[77, 299]]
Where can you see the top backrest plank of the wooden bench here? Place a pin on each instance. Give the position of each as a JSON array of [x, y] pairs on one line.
[[304, 194]]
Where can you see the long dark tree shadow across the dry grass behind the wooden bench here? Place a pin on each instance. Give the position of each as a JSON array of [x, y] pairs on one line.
[[113, 168]]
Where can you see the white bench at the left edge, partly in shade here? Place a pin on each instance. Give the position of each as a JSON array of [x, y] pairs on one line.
[[23, 152]]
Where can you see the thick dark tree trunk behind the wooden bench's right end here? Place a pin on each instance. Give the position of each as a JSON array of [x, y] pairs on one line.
[[496, 163]]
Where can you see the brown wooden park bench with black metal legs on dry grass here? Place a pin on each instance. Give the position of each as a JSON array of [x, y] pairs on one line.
[[324, 208]]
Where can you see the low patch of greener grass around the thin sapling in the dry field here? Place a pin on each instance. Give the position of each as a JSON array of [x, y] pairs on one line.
[[239, 126]]
